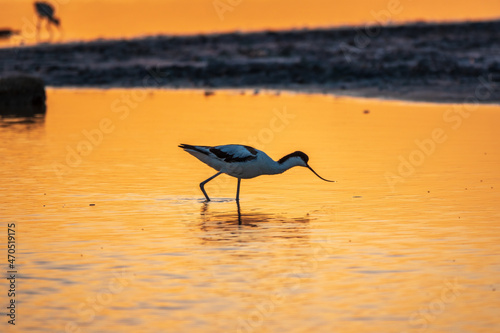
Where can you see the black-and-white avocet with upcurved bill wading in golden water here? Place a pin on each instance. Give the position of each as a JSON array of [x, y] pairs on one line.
[[244, 162]]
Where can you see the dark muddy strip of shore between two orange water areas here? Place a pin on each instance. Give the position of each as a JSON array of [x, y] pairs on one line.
[[453, 62]]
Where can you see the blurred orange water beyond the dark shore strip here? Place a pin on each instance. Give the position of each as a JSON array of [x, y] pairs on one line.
[[88, 19]]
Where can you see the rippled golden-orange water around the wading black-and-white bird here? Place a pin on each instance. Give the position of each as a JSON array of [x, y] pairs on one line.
[[112, 233]]
